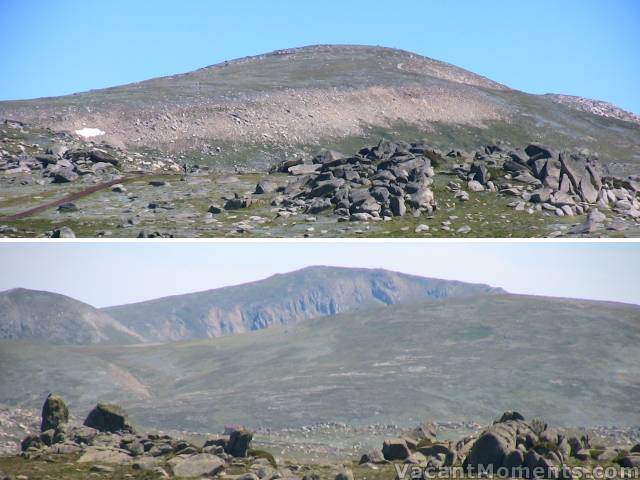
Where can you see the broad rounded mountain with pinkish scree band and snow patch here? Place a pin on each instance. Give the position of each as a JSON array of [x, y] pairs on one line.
[[248, 109]]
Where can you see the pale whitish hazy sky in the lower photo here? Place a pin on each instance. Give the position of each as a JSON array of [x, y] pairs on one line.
[[114, 273]]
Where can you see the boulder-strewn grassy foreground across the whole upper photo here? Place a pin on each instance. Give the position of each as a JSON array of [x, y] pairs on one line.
[[393, 188]]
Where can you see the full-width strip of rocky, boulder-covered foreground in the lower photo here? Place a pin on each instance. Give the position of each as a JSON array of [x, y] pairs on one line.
[[106, 445]]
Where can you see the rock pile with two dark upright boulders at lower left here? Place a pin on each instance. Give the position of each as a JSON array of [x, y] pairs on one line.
[[107, 437]]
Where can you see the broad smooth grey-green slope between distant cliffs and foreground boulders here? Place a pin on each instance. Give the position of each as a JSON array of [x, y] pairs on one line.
[[569, 361]]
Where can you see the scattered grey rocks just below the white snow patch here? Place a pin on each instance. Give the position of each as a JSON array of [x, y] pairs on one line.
[[59, 157]]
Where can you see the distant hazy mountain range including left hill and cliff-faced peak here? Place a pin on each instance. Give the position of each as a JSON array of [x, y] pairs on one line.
[[279, 299]]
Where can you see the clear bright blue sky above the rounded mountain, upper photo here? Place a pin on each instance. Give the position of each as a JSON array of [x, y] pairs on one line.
[[581, 47]]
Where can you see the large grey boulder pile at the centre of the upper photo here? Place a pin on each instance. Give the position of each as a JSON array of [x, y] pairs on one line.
[[385, 180]]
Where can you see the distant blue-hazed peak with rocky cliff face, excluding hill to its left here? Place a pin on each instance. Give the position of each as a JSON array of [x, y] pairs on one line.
[[280, 300]]
